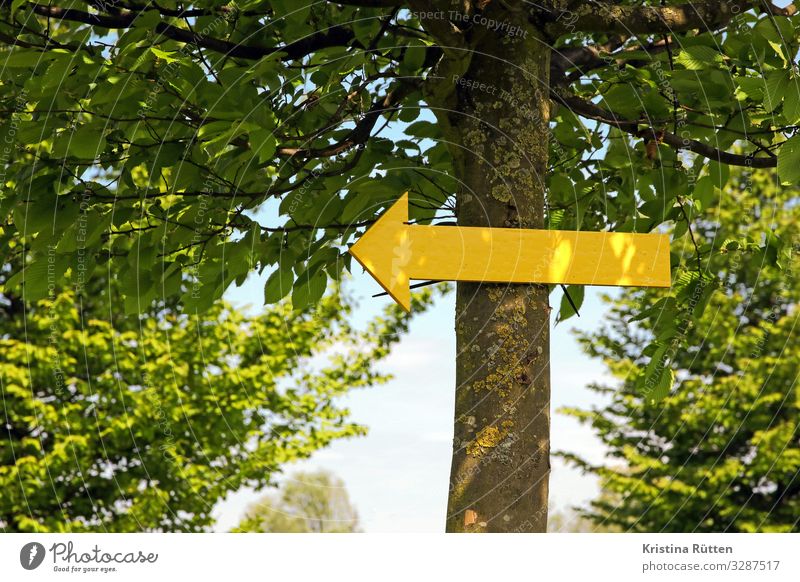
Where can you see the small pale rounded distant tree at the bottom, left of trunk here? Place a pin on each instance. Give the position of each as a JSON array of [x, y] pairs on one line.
[[309, 502]]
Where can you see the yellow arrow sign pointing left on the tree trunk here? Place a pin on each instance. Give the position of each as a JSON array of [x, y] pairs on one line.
[[395, 252]]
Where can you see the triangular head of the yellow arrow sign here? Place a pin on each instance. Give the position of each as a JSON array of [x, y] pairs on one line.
[[385, 252]]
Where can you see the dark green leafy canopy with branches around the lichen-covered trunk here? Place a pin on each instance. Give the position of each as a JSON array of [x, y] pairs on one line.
[[214, 139]]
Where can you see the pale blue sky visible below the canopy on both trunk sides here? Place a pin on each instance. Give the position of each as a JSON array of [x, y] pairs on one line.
[[397, 476]]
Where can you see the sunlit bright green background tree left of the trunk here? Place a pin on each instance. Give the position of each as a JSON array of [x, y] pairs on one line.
[[126, 424]]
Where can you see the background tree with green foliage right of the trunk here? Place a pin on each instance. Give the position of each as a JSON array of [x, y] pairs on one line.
[[722, 451]]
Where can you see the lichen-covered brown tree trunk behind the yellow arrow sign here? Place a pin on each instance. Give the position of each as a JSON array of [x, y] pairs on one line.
[[500, 470]]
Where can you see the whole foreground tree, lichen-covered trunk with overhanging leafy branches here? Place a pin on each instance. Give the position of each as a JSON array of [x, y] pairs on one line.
[[212, 139]]
